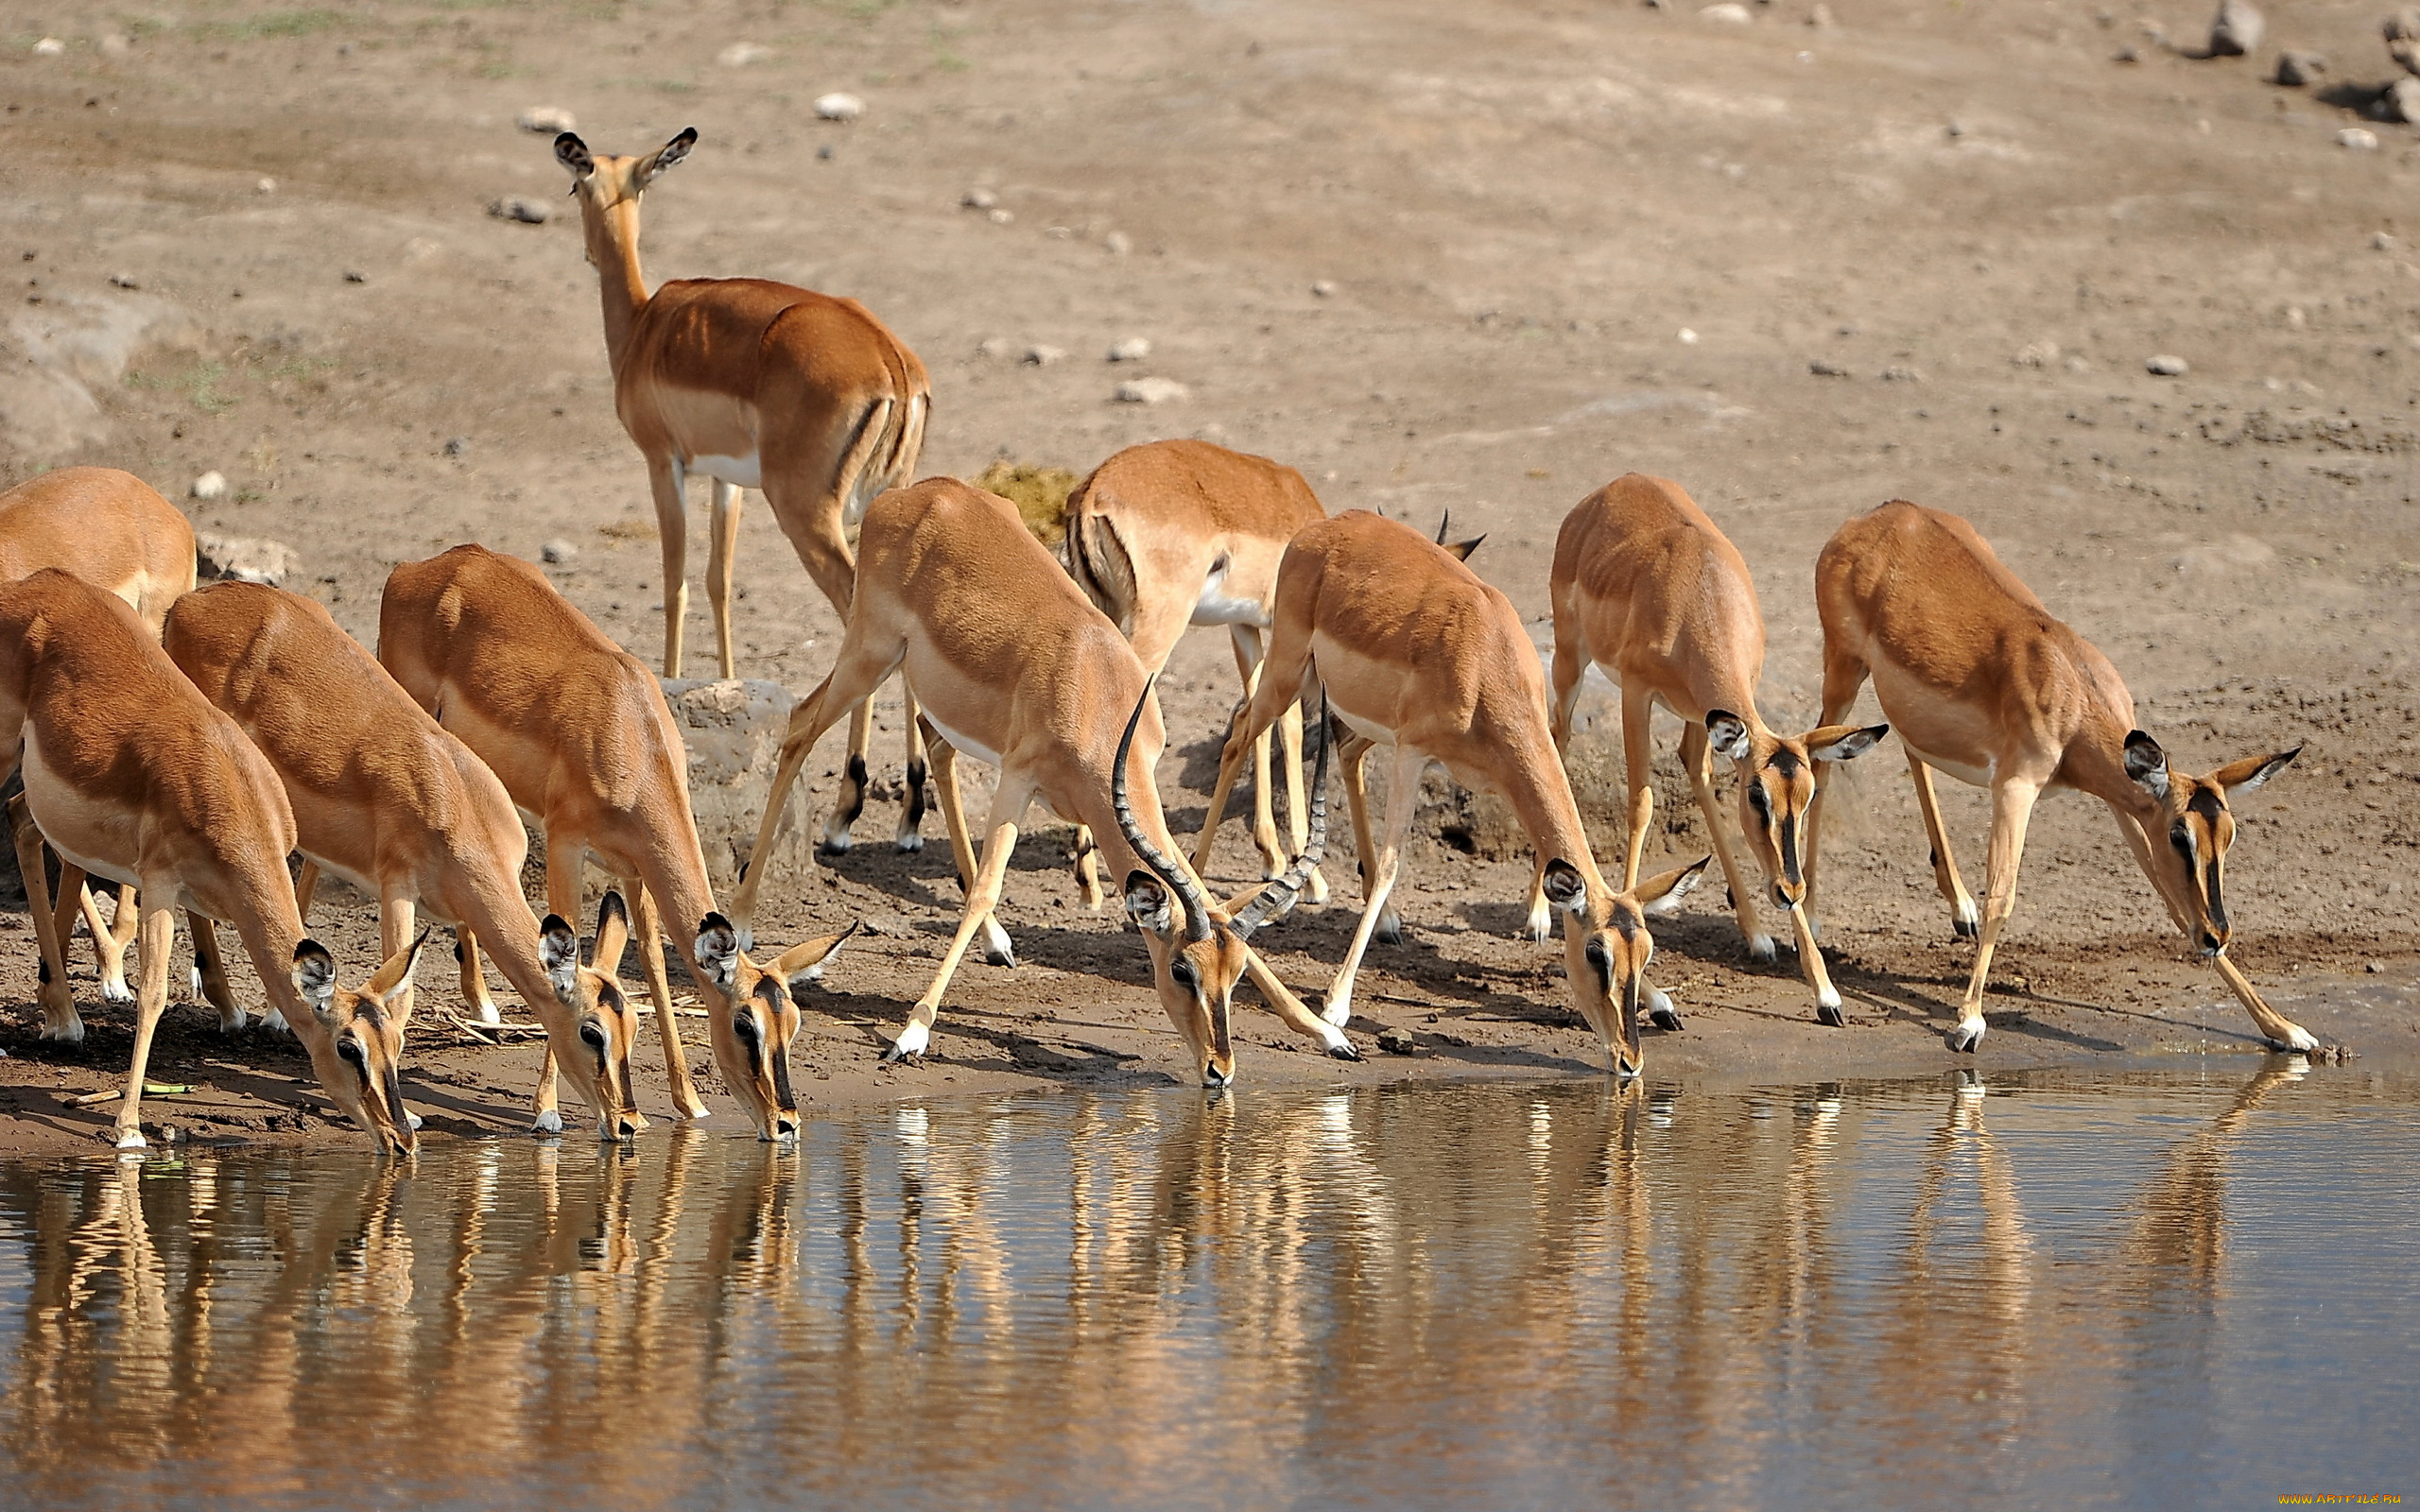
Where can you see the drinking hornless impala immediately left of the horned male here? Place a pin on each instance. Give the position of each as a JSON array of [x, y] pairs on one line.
[[587, 749]]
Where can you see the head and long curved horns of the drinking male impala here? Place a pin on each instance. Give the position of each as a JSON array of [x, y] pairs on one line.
[[1199, 950]]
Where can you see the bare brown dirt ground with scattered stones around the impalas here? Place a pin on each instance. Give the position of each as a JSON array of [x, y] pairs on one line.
[[1473, 258]]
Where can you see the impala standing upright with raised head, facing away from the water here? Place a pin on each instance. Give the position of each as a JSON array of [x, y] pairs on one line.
[[756, 386]]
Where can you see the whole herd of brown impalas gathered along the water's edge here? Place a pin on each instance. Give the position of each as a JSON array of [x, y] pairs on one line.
[[188, 741]]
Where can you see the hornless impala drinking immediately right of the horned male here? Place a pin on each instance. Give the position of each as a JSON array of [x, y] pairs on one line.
[[1414, 652]]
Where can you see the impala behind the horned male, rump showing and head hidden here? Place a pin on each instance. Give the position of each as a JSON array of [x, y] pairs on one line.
[[1180, 533]]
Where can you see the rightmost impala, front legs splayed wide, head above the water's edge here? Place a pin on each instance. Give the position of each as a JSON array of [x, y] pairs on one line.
[[1986, 686]]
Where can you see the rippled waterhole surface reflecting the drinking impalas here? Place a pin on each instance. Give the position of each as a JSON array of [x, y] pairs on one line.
[[2182, 1291]]
